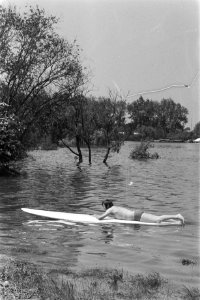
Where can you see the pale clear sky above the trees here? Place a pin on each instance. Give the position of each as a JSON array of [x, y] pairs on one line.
[[135, 45]]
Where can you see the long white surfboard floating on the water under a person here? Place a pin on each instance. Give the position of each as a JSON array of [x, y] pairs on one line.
[[89, 219]]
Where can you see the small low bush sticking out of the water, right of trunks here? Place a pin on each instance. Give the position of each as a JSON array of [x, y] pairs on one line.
[[141, 151]]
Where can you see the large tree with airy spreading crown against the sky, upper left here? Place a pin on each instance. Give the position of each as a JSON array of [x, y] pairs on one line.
[[34, 60]]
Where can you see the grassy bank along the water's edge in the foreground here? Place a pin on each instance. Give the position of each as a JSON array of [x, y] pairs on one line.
[[21, 280]]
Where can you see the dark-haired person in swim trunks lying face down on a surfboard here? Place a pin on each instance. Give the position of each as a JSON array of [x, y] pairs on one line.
[[122, 213]]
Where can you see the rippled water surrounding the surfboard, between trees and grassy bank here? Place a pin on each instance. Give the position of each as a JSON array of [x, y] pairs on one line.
[[169, 185]]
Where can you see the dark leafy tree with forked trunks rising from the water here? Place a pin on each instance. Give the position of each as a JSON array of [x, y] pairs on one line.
[[73, 120]]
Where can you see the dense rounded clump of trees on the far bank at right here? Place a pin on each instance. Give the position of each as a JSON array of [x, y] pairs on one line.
[[156, 120]]
